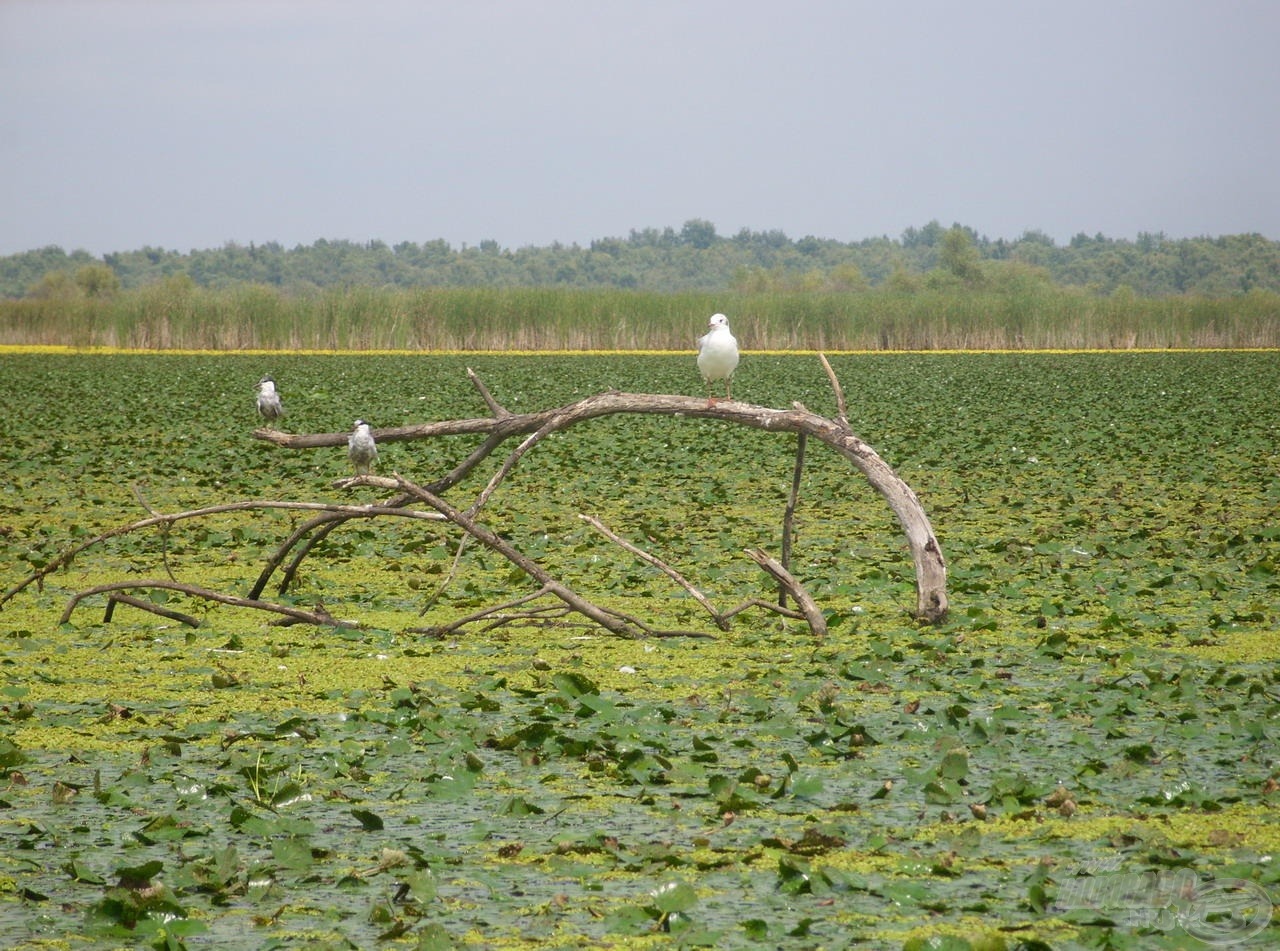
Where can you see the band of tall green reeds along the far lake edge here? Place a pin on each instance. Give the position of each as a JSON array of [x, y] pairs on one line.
[[175, 317]]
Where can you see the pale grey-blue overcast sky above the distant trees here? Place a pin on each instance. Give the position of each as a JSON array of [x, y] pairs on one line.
[[194, 124]]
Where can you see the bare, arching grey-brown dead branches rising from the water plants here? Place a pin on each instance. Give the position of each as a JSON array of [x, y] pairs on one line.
[[497, 429]]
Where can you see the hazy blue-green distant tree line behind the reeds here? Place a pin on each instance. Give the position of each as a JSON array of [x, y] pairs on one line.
[[693, 259]]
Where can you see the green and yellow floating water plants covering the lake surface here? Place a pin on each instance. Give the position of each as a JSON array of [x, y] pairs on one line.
[[1082, 756]]
